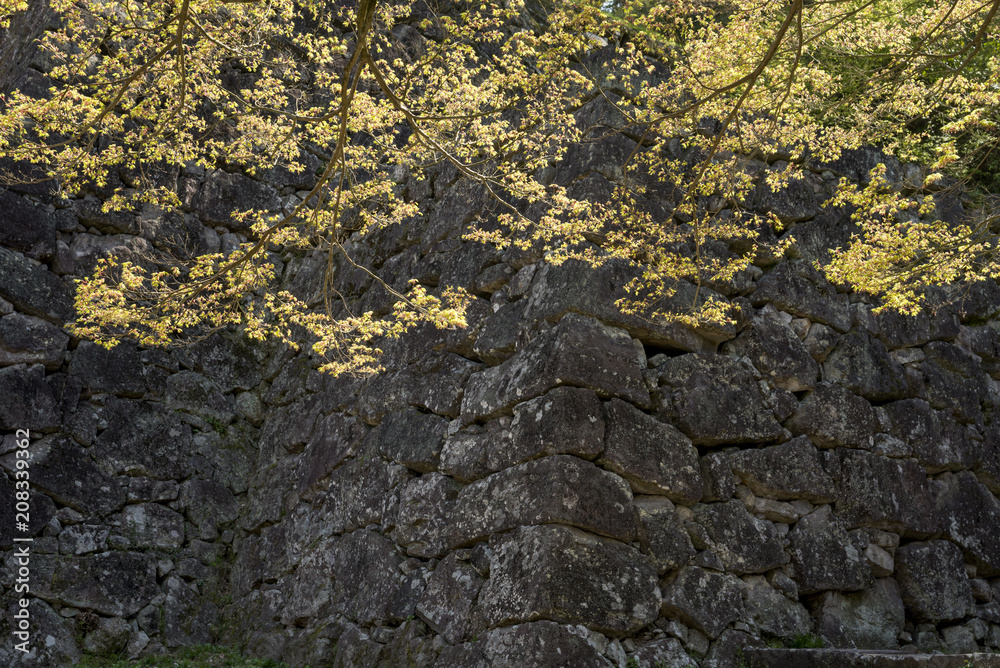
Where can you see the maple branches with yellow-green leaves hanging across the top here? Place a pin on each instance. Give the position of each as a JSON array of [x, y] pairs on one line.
[[717, 95]]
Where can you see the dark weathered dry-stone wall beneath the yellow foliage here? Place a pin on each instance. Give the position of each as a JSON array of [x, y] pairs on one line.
[[556, 485]]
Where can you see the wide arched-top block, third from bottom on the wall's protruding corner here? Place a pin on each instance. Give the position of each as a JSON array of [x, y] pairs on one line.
[[559, 489]]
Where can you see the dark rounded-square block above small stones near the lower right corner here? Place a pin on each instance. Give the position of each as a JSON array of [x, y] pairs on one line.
[[933, 581]]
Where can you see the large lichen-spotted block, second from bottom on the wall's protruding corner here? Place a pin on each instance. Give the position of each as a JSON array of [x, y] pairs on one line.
[[565, 575]]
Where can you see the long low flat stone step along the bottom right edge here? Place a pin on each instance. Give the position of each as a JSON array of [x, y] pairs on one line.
[[859, 658]]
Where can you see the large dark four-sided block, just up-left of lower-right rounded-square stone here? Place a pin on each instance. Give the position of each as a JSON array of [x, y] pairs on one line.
[[882, 493]]
